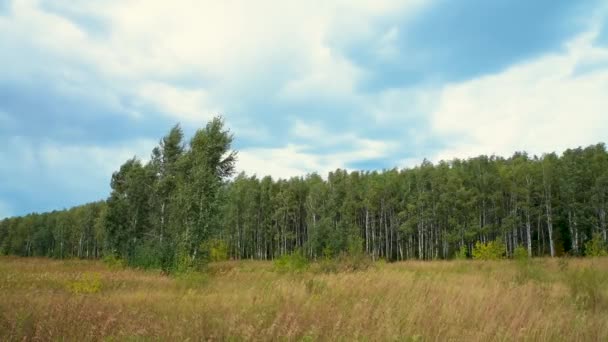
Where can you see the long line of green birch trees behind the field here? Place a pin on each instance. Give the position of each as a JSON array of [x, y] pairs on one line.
[[182, 207]]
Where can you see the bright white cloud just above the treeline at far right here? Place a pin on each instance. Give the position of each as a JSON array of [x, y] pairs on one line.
[[543, 105]]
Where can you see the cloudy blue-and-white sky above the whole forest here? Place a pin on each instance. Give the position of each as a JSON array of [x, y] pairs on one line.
[[305, 86]]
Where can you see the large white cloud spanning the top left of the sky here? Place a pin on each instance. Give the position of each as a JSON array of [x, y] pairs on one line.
[[233, 47]]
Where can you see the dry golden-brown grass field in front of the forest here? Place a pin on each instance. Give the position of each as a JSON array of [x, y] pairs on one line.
[[551, 300]]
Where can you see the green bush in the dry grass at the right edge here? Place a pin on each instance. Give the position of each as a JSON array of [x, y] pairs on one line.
[[588, 288]]
